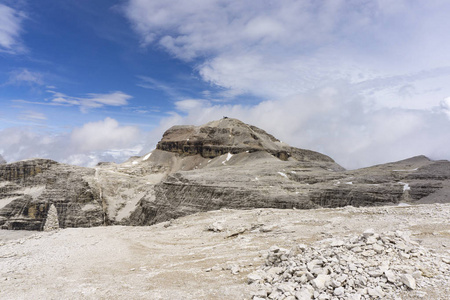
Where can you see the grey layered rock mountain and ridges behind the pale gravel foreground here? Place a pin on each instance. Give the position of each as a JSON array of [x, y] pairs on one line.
[[222, 164]]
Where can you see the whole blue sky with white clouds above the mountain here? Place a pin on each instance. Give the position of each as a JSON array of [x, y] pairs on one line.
[[363, 81]]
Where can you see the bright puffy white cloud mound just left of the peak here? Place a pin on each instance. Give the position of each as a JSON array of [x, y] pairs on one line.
[[103, 135]]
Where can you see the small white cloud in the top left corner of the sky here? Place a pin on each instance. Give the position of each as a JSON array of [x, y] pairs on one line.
[[10, 29]]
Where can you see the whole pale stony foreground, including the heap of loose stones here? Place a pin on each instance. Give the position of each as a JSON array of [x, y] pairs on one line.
[[209, 255]]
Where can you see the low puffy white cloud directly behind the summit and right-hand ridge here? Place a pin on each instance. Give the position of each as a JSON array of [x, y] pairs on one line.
[[334, 120]]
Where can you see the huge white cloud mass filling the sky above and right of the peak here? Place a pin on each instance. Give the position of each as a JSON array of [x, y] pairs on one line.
[[362, 81]]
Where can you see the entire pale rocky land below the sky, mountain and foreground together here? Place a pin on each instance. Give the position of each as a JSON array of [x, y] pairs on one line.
[[225, 211]]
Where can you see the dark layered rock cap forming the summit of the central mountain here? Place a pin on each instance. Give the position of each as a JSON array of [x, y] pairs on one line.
[[229, 135]]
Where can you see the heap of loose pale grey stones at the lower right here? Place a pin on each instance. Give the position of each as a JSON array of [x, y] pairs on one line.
[[369, 266]]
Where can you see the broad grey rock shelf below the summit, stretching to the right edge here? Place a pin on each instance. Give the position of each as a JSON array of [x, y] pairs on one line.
[[249, 180]]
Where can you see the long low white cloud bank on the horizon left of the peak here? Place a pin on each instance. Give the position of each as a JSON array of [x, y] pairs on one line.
[[105, 140]]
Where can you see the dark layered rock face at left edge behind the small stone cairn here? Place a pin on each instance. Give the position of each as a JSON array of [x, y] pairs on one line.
[[29, 188]]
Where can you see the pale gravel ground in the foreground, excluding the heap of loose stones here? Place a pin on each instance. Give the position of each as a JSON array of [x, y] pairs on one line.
[[203, 256]]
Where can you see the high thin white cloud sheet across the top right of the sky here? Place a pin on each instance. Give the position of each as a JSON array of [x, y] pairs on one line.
[[279, 48]]
